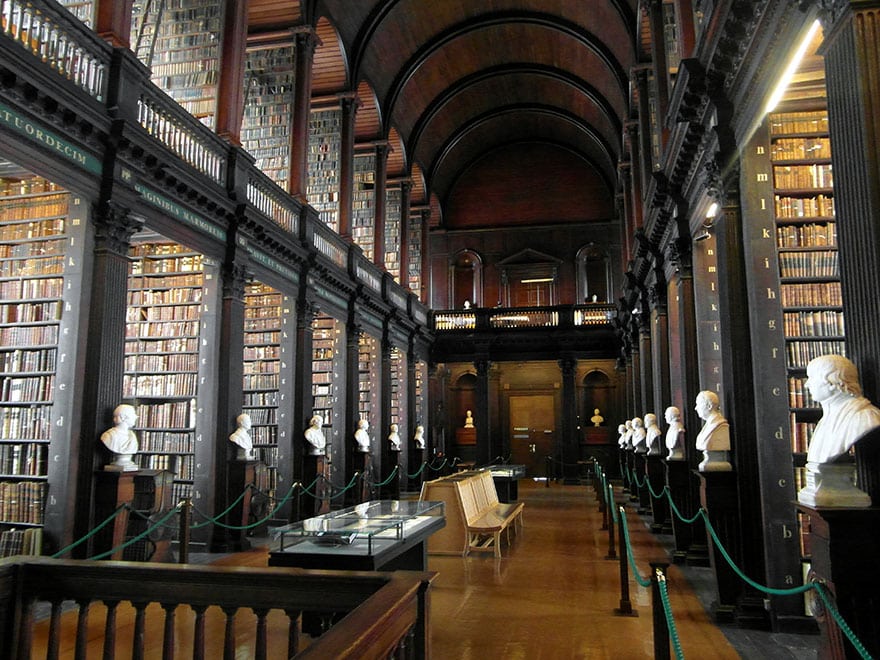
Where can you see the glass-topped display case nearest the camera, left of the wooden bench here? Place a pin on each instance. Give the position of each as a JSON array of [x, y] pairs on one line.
[[376, 535]]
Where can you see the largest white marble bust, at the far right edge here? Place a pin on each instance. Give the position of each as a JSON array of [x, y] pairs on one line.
[[846, 416]]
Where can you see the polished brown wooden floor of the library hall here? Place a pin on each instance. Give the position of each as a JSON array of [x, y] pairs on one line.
[[551, 596]]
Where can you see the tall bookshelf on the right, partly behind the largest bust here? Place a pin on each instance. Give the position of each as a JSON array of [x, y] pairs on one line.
[[809, 278]]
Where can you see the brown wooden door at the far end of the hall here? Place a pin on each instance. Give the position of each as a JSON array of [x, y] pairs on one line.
[[532, 431]]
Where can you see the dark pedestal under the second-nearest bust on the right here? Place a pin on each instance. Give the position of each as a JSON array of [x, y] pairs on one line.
[[718, 496]]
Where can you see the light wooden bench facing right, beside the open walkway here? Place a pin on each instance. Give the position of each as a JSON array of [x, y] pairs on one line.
[[485, 516]]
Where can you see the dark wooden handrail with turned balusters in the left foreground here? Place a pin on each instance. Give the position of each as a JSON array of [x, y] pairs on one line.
[[383, 612]]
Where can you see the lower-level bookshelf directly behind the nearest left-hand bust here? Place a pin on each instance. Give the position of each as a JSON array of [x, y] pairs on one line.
[[167, 286]]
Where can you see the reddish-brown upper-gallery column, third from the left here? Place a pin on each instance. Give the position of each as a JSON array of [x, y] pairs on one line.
[[305, 43]]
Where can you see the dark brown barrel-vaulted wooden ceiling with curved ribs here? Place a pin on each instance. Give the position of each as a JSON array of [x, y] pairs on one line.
[[449, 82]]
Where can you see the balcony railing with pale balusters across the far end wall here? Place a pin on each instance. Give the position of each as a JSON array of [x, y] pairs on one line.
[[503, 318]]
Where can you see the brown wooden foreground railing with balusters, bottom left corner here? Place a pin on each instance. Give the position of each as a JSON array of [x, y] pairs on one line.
[[377, 615]]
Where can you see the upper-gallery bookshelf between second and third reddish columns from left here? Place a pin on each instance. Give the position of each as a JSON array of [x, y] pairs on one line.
[[269, 88]]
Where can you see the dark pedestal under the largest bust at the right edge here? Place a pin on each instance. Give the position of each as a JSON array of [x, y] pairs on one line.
[[845, 545]]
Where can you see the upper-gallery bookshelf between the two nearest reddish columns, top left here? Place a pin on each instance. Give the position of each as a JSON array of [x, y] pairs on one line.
[[179, 40]]
